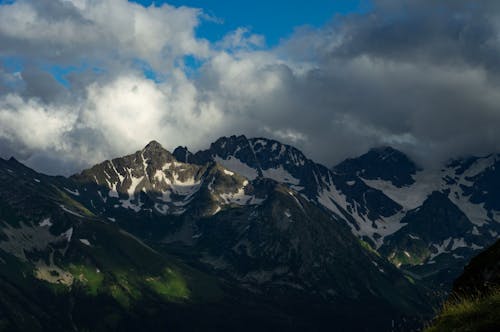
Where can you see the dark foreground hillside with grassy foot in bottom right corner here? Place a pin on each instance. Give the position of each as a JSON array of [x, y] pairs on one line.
[[474, 304]]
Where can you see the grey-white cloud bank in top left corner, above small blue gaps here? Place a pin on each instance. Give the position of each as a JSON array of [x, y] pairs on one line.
[[105, 30]]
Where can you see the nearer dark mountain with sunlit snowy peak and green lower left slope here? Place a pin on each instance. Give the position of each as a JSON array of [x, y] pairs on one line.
[[146, 241]]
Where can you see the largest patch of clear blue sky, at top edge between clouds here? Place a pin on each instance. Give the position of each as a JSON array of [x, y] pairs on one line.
[[272, 19]]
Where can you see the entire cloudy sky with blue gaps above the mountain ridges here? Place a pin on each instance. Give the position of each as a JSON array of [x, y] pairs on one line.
[[82, 81]]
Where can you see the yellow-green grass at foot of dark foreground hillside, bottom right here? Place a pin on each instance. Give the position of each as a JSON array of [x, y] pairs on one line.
[[469, 314]]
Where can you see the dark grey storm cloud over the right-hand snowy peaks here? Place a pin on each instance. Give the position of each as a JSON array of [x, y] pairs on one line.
[[421, 75]]
